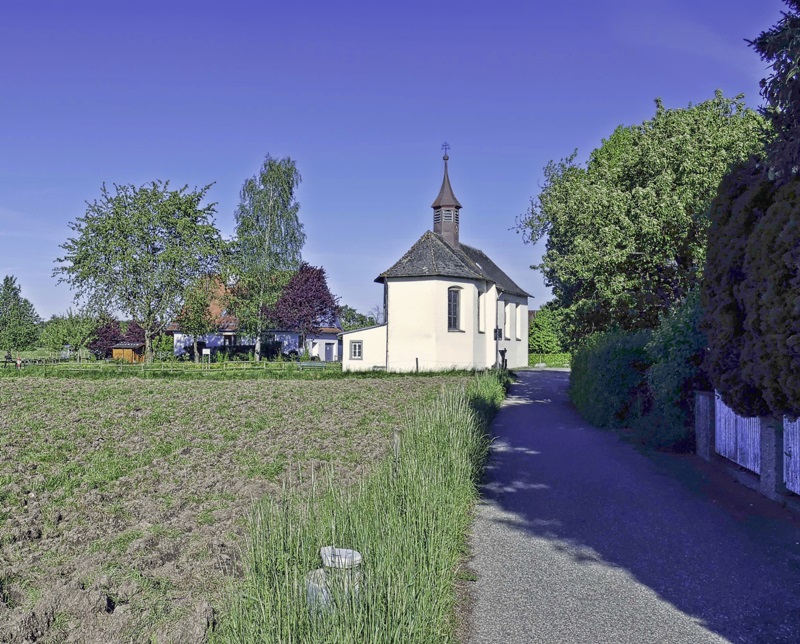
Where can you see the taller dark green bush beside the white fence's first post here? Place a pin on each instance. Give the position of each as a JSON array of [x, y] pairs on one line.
[[676, 351]]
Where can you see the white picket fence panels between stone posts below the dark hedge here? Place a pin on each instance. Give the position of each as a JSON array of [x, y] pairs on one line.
[[739, 439]]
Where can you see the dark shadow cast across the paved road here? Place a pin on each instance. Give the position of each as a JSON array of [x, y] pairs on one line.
[[597, 499]]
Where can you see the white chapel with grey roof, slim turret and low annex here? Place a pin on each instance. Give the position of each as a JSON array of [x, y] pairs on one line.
[[448, 306]]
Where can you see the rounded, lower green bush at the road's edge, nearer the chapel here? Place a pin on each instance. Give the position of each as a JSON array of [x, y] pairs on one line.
[[607, 382]]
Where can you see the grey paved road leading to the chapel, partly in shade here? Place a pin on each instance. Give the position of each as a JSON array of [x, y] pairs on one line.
[[580, 538]]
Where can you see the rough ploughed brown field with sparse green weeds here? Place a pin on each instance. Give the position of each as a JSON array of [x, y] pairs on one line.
[[123, 502]]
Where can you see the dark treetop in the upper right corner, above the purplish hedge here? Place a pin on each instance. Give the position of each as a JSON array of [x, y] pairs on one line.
[[779, 46]]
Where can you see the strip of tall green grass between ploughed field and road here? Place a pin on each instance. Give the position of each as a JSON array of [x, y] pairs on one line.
[[409, 519]]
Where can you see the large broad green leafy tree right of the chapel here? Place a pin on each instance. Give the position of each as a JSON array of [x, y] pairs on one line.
[[627, 232]]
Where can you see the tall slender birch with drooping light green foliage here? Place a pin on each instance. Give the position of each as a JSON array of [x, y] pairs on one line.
[[266, 249]]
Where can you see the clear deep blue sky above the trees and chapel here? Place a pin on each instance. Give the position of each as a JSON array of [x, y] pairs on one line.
[[360, 94]]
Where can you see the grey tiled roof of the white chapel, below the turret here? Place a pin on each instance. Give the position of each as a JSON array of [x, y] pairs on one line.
[[431, 256]]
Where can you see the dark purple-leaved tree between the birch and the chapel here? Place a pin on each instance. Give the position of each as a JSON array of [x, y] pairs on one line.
[[306, 303]]
